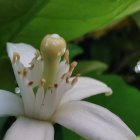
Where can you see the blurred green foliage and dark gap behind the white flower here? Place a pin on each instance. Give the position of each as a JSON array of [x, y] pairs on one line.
[[102, 35]]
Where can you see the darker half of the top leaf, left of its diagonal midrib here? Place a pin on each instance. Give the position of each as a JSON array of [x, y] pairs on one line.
[[19, 14]]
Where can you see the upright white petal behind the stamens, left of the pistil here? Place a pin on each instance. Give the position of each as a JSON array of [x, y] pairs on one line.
[[27, 52]]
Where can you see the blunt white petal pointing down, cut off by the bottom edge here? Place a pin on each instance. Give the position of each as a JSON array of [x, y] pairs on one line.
[[29, 129]]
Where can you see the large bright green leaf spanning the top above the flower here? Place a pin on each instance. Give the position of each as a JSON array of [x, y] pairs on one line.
[[30, 21]]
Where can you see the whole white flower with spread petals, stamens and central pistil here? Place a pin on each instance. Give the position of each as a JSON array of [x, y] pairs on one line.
[[48, 95]]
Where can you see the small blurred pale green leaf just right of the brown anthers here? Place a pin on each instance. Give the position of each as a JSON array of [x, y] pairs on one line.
[[85, 67]]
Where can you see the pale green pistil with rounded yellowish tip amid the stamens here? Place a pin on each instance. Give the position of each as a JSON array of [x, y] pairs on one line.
[[52, 48]]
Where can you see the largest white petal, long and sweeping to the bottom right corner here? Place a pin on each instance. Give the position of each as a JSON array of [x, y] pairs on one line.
[[92, 122]]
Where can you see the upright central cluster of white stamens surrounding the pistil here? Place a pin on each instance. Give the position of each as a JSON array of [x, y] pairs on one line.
[[44, 75]]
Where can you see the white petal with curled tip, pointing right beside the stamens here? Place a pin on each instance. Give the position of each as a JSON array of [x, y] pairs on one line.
[[85, 87]]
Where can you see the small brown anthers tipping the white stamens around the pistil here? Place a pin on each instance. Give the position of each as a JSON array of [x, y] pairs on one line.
[[66, 76]]
